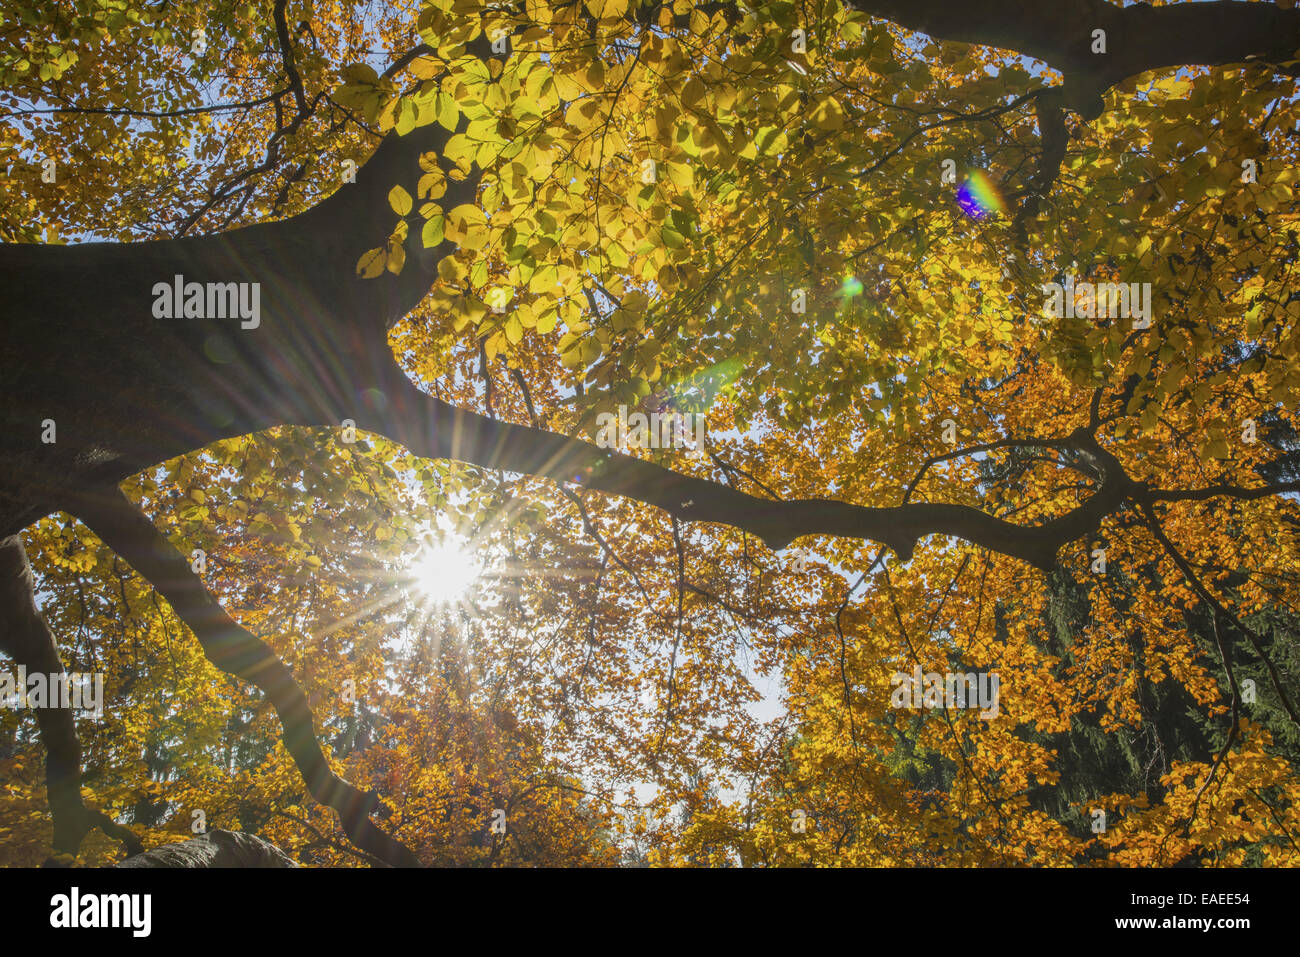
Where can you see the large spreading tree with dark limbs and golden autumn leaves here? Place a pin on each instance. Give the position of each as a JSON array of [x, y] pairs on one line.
[[827, 228]]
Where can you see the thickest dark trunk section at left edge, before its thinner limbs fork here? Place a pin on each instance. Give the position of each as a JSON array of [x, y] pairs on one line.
[[92, 357]]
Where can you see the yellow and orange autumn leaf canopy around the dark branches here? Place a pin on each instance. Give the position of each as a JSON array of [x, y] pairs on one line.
[[657, 187]]
